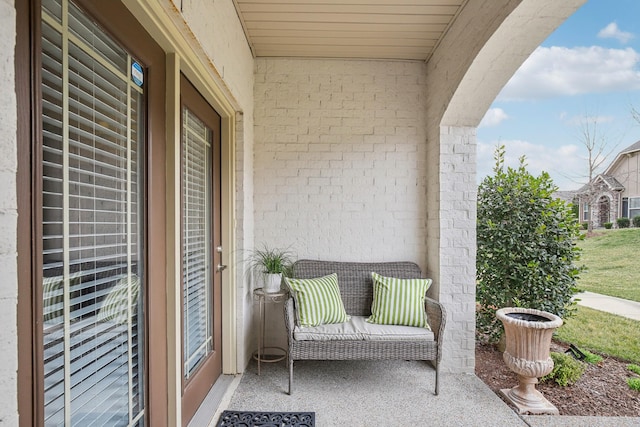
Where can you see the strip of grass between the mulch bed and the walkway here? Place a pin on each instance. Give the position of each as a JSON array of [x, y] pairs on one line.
[[604, 333]]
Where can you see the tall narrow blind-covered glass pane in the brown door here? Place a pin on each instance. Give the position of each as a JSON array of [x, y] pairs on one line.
[[196, 262]]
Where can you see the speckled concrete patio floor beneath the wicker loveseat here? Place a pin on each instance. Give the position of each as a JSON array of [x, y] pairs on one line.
[[384, 393]]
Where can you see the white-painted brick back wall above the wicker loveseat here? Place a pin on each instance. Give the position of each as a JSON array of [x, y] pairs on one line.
[[340, 156]]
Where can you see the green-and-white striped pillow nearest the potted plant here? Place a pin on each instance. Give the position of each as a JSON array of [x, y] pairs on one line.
[[318, 300]]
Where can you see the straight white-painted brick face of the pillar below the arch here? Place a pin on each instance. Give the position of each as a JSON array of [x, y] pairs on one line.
[[457, 244]]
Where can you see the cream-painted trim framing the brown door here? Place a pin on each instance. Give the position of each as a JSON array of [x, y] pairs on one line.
[[190, 60]]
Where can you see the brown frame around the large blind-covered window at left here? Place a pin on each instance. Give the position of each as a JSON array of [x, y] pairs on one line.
[[121, 27]]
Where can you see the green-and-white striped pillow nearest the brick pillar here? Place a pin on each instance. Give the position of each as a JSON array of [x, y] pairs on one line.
[[399, 301]]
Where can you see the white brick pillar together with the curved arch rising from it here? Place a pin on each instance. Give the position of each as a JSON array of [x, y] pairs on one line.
[[482, 49]]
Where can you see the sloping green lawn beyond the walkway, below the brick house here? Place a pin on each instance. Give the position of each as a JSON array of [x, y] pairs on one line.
[[611, 258]]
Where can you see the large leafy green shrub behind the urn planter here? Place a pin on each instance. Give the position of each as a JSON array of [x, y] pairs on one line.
[[526, 250]]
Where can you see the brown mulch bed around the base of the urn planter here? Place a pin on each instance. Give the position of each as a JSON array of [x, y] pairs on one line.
[[601, 391]]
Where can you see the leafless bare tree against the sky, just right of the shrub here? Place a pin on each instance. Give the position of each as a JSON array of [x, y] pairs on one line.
[[596, 143]]
